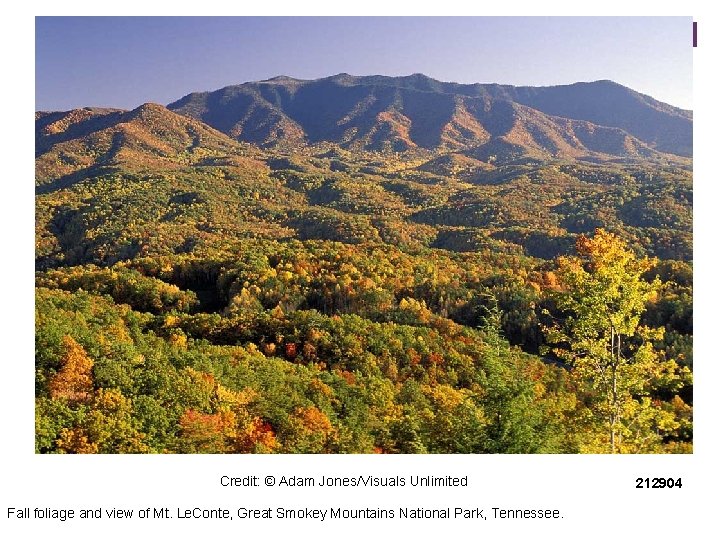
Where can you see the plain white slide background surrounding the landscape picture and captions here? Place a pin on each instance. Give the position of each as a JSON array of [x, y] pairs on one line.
[[596, 494]]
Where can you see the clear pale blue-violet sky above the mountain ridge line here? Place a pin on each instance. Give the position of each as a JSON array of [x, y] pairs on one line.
[[126, 61]]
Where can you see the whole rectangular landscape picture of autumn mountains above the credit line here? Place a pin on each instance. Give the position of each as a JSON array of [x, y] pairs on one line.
[[363, 235]]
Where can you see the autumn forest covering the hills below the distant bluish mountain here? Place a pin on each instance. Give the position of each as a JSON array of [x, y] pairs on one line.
[[199, 293]]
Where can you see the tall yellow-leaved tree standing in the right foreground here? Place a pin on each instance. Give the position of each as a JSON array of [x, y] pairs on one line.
[[602, 297]]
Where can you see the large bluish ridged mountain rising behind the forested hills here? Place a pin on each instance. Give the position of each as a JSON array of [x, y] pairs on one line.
[[599, 120]]
